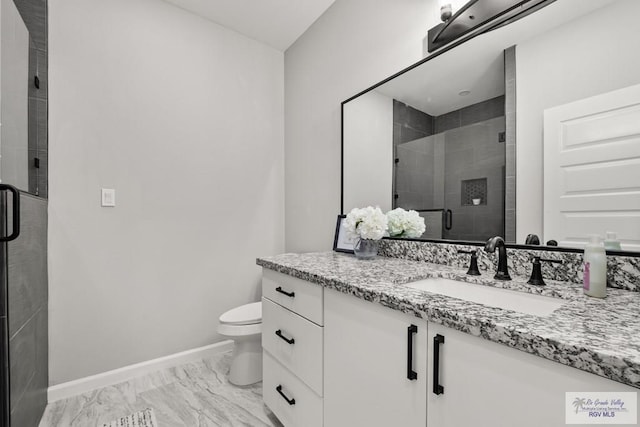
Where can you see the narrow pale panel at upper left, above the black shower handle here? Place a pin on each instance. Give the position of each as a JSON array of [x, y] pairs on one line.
[[14, 87]]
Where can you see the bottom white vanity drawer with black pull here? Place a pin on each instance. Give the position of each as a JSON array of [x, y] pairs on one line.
[[307, 409]]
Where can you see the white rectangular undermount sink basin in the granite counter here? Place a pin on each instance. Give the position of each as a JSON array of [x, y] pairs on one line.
[[522, 302]]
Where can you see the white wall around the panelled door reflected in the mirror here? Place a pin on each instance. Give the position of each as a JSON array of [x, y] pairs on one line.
[[594, 54]]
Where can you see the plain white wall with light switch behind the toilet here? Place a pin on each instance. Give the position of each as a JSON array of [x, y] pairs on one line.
[[184, 119]]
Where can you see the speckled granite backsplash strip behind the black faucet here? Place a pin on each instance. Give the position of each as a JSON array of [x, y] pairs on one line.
[[623, 272]]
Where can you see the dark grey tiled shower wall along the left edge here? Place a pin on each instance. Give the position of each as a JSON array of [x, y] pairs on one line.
[[27, 255]]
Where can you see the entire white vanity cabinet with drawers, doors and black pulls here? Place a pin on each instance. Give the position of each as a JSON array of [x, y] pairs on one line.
[[336, 360]]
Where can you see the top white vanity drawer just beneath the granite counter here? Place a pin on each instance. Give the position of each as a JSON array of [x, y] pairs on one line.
[[295, 294]]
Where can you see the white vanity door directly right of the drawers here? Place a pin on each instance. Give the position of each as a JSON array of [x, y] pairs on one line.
[[367, 365]]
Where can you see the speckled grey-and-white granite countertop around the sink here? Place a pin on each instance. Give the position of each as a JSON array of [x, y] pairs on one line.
[[601, 336]]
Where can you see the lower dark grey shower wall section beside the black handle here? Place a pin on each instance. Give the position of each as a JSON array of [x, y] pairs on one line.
[[28, 316]]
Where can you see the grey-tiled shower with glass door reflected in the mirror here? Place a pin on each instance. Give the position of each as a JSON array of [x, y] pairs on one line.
[[455, 177]]
